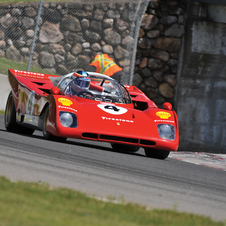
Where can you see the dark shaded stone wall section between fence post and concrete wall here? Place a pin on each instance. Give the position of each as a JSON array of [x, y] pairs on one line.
[[158, 50]]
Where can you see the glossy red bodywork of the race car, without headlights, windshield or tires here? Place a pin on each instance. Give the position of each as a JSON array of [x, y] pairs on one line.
[[136, 126]]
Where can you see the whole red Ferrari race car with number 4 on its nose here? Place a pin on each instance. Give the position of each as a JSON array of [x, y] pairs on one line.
[[91, 106]]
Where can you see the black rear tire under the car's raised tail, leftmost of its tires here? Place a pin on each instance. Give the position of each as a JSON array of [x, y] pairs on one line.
[[10, 118]]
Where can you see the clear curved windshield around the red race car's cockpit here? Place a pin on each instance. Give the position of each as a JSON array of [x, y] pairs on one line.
[[96, 87]]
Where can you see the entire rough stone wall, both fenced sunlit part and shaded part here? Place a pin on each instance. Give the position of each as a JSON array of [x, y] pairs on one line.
[[62, 45]]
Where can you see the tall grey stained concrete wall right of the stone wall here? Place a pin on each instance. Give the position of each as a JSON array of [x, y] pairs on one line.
[[201, 99]]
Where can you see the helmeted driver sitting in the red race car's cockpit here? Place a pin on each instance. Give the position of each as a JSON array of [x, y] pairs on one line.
[[81, 82]]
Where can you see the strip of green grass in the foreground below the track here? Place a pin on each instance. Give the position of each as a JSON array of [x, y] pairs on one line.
[[34, 204]]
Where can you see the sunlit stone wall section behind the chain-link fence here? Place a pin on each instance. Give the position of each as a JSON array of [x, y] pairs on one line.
[[69, 32]]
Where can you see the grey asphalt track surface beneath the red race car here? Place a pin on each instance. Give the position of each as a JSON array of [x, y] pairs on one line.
[[95, 169]]
